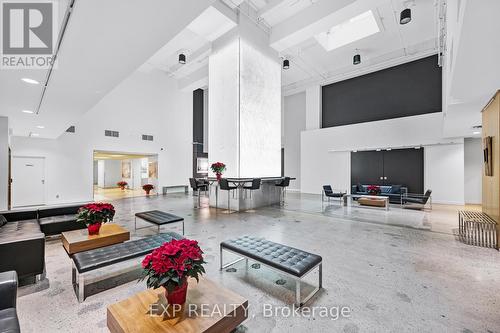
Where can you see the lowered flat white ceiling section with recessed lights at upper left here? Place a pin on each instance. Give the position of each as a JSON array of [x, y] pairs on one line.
[[95, 56]]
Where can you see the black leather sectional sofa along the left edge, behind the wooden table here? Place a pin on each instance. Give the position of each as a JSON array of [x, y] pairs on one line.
[[22, 238]]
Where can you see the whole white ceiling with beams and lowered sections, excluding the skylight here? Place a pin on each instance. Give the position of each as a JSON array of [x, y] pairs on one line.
[[92, 61]]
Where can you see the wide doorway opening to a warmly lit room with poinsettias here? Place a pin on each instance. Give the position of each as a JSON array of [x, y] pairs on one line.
[[133, 170]]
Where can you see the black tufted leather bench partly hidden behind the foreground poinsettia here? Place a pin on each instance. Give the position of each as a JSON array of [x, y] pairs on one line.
[[105, 256]]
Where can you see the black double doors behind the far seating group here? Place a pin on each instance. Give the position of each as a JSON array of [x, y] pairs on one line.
[[395, 167]]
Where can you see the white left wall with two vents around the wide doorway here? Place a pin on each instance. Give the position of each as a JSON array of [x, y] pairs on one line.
[[144, 103]]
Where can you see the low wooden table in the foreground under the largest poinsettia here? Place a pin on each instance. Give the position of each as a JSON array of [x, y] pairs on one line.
[[214, 309]]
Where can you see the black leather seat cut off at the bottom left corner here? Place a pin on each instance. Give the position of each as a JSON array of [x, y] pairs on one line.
[[8, 298]]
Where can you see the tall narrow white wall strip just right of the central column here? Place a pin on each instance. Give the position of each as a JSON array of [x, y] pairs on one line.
[[294, 122]]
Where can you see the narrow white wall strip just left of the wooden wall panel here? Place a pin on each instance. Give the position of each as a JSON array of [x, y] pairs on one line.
[[473, 170]]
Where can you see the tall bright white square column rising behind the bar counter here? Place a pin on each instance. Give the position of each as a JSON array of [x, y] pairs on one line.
[[245, 103]]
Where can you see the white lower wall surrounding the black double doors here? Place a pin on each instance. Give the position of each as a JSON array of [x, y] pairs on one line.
[[325, 153]]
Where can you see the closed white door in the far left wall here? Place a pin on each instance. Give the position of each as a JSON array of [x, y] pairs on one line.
[[28, 181]]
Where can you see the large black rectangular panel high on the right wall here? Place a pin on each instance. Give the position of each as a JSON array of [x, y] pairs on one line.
[[409, 89]]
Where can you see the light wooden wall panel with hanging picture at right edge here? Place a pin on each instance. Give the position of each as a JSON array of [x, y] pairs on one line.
[[491, 184]]
